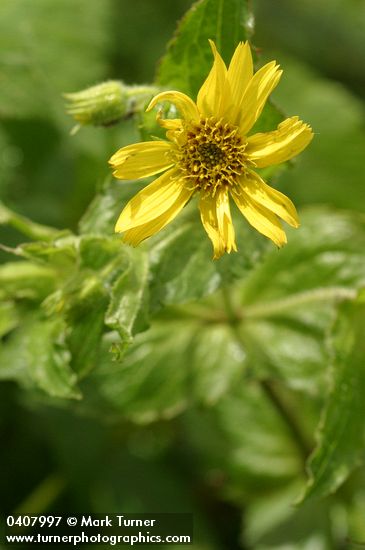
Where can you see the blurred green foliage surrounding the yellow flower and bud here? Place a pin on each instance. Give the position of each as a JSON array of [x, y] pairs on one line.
[[155, 379]]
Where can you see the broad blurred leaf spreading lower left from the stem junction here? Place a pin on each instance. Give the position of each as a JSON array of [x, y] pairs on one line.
[[173, 364]]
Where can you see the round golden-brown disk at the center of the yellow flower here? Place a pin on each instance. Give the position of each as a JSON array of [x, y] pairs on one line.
[[212, 155]]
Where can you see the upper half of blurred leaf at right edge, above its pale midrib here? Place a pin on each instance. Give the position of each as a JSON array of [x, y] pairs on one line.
[[325, 252]]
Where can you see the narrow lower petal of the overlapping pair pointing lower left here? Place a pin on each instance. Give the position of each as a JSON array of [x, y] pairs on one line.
[[138, 234]]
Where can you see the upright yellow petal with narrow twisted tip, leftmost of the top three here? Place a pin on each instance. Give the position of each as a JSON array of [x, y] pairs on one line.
[[214, 98]]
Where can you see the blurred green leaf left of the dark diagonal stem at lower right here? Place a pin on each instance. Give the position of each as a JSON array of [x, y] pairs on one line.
[[244, 442]]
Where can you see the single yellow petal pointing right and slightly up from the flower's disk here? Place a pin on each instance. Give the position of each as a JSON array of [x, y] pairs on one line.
[[290, 138]]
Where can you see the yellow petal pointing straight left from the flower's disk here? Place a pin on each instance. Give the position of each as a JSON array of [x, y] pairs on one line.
[[141, 160]]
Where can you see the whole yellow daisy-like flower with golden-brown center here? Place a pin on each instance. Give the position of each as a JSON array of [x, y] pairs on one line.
[[208, 152]]
